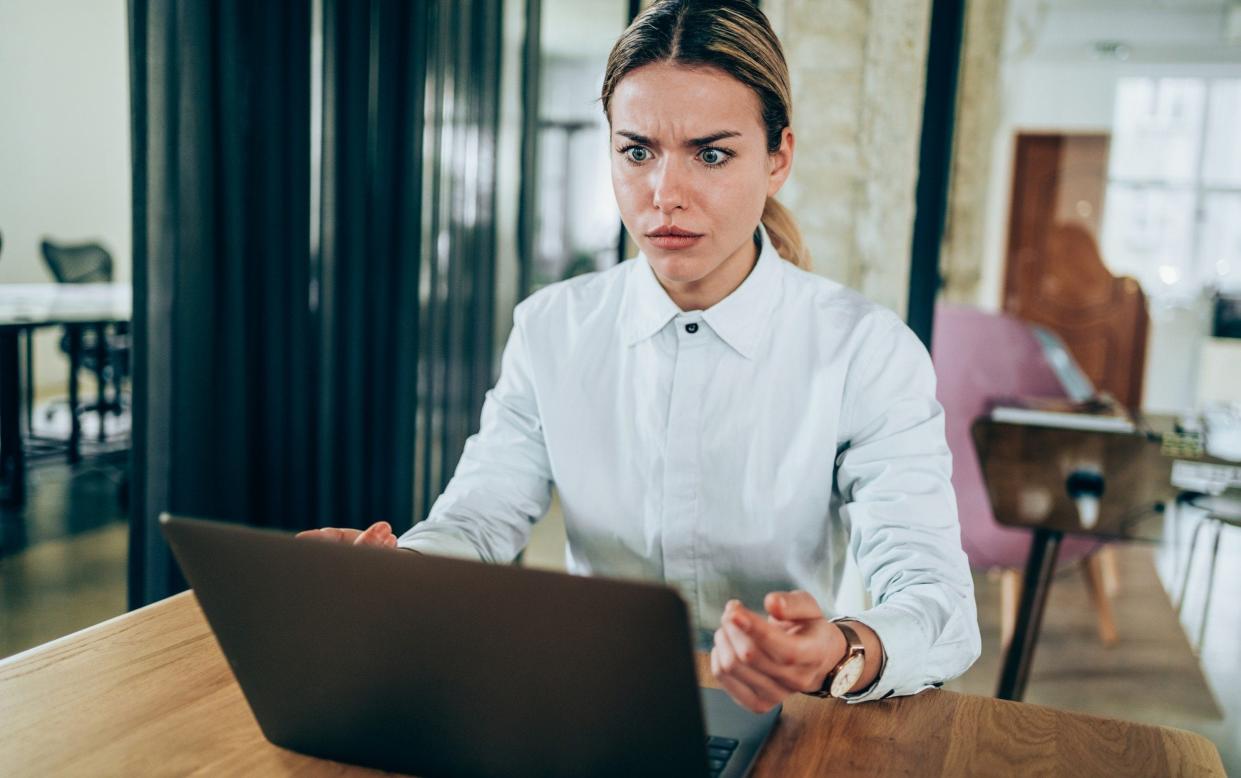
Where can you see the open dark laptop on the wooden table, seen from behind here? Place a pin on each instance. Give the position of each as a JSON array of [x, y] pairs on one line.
[[440, 667]]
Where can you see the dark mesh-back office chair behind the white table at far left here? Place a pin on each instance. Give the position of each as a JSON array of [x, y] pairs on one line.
[[92, 347]]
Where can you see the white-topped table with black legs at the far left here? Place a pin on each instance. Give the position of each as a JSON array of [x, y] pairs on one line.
[[25, 308]]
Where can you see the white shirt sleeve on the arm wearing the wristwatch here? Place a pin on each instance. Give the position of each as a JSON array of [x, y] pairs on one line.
[[893, 472]]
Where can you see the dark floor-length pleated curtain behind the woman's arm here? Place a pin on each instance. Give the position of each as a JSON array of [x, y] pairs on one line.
[[312, 313]]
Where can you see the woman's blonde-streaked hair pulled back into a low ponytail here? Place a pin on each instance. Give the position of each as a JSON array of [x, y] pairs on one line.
[[735, 38]]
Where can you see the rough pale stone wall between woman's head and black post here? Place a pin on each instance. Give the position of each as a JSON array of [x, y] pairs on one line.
[[858, 70]]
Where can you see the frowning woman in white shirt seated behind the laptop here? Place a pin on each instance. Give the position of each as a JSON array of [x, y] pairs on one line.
[[714, 416]]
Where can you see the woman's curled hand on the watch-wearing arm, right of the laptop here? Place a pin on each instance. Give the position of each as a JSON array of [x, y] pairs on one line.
[[761, 662]]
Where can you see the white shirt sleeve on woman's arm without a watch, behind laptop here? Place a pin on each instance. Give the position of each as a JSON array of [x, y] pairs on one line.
[[502, 486]]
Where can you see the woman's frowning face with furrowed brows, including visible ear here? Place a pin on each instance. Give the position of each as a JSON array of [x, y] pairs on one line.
[[691, 157]]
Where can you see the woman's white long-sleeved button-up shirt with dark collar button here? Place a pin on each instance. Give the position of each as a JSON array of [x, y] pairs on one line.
[[728, 452]]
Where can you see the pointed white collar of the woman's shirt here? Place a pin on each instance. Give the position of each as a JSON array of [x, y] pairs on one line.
[[740, 320]]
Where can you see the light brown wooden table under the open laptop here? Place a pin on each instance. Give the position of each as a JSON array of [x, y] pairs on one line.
[[150, 693]]
